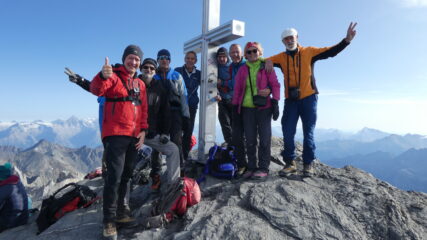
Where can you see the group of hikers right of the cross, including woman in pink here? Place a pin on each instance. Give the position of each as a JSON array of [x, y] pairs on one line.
[[248, 99]]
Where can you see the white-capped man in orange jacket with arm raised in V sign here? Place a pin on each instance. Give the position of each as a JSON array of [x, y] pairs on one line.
[[297, 65]]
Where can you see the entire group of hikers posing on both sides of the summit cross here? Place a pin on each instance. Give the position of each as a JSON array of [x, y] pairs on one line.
[[158, 107]]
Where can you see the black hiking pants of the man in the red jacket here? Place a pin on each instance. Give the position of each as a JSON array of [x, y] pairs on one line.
[[121, 154]]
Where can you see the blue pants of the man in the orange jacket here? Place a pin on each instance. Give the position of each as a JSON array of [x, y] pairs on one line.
[[305, 108]]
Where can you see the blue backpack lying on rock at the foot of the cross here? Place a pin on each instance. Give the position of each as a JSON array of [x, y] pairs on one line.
[[221, 162]]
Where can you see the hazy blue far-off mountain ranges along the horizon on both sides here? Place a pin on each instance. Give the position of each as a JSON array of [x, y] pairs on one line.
[[398, 159]]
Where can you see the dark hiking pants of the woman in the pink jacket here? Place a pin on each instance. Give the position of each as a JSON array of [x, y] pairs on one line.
[[257, 123]]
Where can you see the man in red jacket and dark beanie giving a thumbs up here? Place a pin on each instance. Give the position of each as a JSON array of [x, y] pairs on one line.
[[123, 132]]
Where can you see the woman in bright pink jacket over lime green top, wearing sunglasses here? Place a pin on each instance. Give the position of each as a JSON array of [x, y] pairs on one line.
[[252, 99]]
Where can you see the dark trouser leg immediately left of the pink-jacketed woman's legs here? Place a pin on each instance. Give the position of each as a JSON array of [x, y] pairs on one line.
[[238, 139]]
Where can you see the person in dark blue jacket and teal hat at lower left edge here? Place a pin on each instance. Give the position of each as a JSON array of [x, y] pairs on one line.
[[13, 199]]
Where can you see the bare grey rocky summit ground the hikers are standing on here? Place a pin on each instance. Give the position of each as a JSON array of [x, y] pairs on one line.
[[337, 203]]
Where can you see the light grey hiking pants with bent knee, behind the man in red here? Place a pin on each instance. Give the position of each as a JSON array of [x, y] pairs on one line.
[[172, 156]]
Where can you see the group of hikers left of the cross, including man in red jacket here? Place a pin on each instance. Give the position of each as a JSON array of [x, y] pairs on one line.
[[156, 108]]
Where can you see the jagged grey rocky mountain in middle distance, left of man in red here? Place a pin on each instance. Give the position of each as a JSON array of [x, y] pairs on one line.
[[46, 166]]
